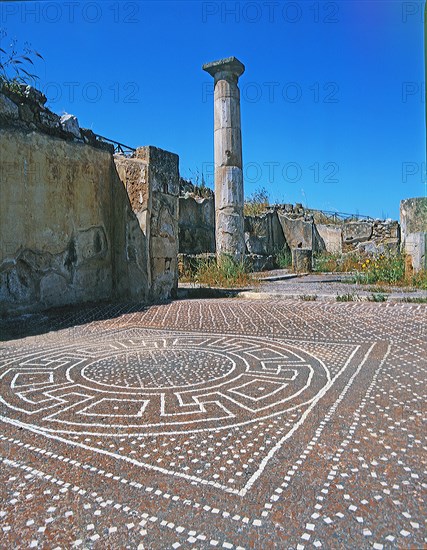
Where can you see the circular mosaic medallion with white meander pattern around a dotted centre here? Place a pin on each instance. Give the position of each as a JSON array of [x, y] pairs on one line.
[[161, 384]]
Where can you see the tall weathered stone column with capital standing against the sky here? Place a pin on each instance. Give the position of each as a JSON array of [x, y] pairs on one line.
[[229, 220]]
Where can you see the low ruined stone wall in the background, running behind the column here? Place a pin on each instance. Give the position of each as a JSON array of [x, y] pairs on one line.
[[285, 226]]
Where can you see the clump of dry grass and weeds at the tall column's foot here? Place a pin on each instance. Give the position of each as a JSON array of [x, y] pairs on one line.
[[224, 272]]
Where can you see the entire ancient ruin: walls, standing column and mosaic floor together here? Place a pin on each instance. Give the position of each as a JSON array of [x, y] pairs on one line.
[[245, 423]]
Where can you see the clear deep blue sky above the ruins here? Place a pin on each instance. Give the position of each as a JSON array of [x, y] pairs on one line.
[[332, 100]]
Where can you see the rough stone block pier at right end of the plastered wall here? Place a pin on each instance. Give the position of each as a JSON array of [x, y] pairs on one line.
[[151, 179]]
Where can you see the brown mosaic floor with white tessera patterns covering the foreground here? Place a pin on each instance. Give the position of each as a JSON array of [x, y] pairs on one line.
[[215, 423]]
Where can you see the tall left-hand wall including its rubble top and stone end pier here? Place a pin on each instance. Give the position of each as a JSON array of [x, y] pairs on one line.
[[69, 232]]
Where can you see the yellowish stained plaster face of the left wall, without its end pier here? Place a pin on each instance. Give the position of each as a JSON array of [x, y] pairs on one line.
[[66, 225]]
